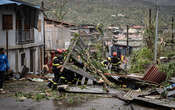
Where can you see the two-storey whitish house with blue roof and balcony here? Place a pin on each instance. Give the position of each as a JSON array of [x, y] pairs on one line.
[[21, 34]]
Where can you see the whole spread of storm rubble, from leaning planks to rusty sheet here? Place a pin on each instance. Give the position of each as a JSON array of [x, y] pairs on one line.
[[81, 64]]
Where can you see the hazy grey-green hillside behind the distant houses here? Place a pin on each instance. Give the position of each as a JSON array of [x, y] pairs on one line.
[[117, 12]]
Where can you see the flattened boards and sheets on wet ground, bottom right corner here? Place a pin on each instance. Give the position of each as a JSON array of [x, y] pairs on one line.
[[144, 98]]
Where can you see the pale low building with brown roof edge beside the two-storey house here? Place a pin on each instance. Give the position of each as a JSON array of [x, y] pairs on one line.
[[57, 34]]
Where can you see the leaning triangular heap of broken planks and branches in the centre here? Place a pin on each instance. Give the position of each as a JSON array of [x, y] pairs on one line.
[[84, 64]]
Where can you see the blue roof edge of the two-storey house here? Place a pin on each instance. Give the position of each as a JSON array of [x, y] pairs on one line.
[[8, 2]]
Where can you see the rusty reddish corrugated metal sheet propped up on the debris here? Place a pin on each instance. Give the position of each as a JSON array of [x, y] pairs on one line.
[[154, 75]]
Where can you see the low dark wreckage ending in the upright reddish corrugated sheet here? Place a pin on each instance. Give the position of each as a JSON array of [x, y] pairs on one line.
[[151, 78]]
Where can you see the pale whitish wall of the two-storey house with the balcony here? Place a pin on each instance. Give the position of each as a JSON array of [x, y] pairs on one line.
[[15, 50]]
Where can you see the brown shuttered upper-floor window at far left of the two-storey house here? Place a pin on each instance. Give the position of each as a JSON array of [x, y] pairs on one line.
[[7, 23]]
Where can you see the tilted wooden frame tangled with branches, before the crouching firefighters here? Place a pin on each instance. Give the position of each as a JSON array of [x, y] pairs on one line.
[[91, 67]]
